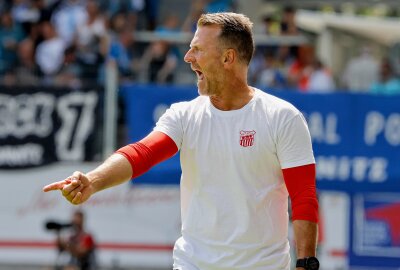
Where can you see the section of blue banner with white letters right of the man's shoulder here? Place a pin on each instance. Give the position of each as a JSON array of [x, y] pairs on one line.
[[356, 139]]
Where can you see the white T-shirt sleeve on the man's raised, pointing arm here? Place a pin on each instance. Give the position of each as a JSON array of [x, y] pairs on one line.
[[170, 124]]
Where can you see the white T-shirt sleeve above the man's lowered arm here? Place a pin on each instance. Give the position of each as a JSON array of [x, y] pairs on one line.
[[294, 146]]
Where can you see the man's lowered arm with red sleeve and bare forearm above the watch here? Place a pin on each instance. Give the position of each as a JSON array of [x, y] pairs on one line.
[[300, 182]]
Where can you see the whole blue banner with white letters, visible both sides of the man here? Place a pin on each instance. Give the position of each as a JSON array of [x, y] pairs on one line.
[[356, 138]]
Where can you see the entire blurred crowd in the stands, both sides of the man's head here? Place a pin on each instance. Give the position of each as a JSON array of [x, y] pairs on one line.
[[68, 42]]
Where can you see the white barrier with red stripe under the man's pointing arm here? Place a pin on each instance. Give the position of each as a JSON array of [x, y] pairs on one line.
[[133, 226]]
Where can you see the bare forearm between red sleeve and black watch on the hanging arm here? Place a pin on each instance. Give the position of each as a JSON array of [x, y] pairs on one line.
[[305, 233]]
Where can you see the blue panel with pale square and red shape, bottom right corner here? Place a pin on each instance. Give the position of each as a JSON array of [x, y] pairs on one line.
[[375, 238]]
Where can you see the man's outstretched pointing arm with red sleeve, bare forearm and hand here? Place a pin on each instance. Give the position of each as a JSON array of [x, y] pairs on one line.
[[127, 163]]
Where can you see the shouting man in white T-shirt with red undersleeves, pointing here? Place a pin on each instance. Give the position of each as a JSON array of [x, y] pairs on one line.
[[238, 147]]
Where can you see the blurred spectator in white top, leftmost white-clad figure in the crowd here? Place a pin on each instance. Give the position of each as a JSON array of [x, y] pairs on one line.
[[50, 52]]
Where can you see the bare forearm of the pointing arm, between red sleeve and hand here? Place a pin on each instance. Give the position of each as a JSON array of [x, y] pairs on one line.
[[114, 171]]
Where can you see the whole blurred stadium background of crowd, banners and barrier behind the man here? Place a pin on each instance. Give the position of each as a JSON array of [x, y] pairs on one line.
[[81, 78]]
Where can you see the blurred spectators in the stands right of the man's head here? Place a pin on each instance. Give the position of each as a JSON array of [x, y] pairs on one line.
[[298, 67]]
